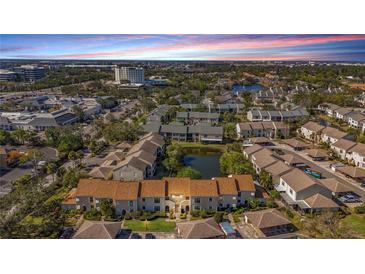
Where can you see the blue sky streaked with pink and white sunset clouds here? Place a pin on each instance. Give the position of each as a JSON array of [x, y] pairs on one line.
[[185, 47]]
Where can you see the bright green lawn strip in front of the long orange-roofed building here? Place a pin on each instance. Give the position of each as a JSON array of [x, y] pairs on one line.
[[157, 225]]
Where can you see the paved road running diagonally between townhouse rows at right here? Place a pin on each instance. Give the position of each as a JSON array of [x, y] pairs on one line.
[[323, 167]]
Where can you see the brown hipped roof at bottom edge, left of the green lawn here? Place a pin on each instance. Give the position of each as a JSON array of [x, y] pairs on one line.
[[98, 230]]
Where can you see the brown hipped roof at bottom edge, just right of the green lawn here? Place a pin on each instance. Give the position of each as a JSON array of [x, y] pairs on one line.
[[202, 229]]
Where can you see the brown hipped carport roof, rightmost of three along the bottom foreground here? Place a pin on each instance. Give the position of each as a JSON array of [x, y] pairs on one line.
[[266, 218]]
